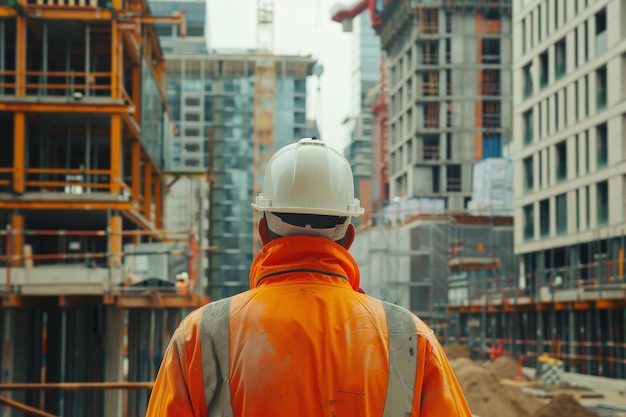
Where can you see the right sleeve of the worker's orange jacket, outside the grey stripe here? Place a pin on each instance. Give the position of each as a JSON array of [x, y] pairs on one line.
[[438, 388]]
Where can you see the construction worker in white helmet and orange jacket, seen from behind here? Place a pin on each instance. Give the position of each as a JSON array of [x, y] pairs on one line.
[[303, 340]]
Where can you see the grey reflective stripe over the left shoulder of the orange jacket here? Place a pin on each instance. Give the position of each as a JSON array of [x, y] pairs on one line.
[[214, 343]]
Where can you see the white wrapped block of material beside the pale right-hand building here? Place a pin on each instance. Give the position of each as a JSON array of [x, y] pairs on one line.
[[492, 187]]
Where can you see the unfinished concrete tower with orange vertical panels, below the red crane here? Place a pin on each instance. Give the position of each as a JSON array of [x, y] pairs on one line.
[[449, 93]]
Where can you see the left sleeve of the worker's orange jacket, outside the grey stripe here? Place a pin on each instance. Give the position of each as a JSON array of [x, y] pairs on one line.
[[179, 389]]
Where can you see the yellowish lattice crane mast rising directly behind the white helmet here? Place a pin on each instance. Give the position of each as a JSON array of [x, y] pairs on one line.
[[264, 92]]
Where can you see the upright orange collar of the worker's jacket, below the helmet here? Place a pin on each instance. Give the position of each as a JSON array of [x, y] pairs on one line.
[[311, 254]]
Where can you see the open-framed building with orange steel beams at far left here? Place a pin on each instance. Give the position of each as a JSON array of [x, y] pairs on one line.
[[86, 297]]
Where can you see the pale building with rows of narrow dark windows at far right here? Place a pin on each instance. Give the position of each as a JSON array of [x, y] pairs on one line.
[[570, 107]]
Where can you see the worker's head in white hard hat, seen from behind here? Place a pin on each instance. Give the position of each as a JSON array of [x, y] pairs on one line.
[[308, 190]]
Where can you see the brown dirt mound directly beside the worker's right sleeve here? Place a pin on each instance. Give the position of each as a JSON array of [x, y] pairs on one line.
[[486, 396]]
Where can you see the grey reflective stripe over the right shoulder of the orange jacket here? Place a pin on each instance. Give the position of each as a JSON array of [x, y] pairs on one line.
[[402, 361]]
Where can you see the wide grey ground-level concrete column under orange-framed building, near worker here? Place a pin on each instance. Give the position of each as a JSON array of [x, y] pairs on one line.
[[114, 354]]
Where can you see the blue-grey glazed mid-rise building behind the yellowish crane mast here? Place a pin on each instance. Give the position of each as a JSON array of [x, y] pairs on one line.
[[212, 99]]
